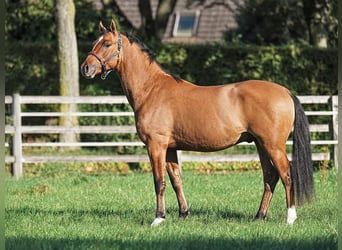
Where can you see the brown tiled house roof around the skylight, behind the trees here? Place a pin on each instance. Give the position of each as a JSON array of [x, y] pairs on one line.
[[214, 18]]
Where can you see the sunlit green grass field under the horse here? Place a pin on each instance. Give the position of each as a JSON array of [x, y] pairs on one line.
[[104, 211]]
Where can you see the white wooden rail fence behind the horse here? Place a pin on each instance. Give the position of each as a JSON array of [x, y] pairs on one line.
[[17, 131]]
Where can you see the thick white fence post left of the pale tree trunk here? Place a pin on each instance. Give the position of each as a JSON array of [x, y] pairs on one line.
[[17, 170]]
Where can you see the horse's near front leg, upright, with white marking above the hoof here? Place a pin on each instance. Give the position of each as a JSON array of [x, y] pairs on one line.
[[157, 156]]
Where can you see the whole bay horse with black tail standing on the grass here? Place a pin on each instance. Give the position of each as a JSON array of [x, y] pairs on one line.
[[173, 114]]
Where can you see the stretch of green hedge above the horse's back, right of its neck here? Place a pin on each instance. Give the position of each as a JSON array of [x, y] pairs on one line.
[[304, 70]]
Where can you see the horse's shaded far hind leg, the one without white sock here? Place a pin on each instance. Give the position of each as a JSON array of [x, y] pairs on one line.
[[271, 178]]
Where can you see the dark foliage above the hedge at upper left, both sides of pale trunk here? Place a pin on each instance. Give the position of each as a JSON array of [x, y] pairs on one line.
[[34, 20]]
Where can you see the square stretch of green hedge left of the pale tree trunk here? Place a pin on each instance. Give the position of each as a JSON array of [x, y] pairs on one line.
[[31, 69]]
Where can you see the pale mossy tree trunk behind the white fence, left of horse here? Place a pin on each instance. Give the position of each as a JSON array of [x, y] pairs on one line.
[[68, 64]]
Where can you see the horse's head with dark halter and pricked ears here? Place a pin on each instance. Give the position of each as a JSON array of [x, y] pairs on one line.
[[105, 55]]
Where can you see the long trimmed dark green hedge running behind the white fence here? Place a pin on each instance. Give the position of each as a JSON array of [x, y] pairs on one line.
[[32, 69]]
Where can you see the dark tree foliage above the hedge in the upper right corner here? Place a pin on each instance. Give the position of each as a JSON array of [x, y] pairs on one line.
[[268, 22]]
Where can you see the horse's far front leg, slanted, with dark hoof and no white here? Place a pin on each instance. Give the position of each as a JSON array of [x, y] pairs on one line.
[[176, 181]]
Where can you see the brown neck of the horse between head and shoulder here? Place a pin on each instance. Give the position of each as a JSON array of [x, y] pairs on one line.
[[136, 72]]
